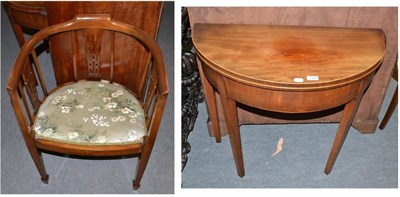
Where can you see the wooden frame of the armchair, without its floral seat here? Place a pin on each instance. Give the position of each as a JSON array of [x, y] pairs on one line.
[[23, 91]]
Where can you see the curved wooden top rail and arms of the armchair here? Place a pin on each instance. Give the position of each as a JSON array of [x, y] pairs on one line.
[[95, 21]]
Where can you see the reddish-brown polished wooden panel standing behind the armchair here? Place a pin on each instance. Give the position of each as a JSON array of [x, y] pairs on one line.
[[119, 52]]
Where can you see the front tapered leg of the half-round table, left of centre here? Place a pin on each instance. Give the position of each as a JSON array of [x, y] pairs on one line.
[[231, 118]]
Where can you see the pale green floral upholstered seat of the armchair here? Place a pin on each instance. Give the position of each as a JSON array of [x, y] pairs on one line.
[[91, 113]]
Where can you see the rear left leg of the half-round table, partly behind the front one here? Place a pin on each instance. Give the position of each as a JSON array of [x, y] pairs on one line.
[[211, 105]]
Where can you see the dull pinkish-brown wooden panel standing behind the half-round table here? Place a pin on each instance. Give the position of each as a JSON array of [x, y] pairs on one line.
[[384, 18]]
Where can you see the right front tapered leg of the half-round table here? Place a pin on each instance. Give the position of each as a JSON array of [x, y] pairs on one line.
[[349, 112]]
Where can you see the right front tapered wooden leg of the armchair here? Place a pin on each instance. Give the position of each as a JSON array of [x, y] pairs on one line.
[[142, 163]]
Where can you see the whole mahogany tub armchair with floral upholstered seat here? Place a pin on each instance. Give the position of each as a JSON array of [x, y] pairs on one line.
[[96, 113]]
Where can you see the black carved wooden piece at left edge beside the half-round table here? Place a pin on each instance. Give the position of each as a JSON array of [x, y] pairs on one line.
[[191, 86]]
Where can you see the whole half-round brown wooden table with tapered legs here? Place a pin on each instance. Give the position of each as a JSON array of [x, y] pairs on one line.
[[286, 69]]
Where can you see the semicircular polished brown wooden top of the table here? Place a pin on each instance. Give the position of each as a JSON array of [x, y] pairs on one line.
[[289, 57]]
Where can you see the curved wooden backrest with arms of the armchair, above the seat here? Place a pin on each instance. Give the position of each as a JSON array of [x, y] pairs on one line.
[[87, 48]]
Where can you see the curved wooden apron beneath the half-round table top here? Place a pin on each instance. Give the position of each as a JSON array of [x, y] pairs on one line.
[[285, 101]]
